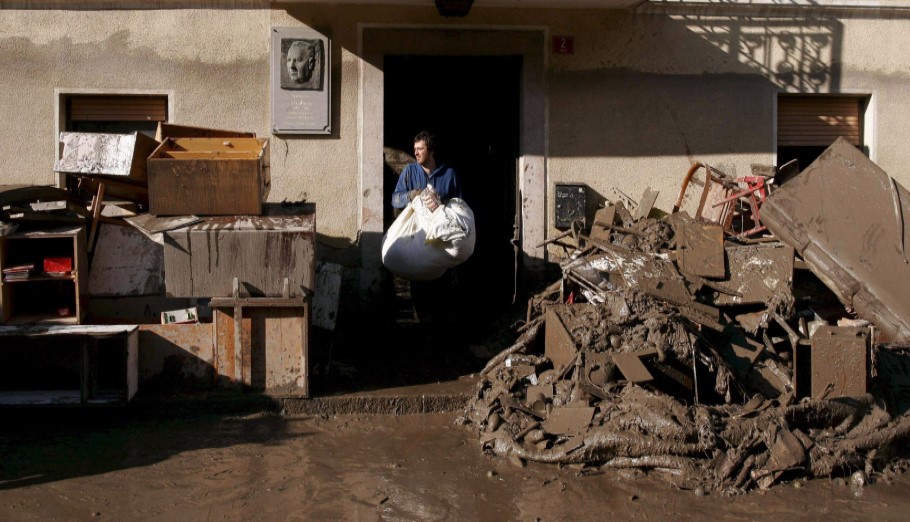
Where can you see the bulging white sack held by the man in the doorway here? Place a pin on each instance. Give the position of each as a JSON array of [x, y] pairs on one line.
[[421, 245]]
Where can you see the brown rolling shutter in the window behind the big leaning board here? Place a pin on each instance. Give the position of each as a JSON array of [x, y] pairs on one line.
[[806, 121]]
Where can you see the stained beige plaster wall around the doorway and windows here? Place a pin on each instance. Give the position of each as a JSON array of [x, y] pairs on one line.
[[644, 95]]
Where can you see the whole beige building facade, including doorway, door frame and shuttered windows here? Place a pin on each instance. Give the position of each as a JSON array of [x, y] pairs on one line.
[[617, 96]]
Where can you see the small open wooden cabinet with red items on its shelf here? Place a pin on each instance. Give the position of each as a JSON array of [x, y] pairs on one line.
[[41, 297]]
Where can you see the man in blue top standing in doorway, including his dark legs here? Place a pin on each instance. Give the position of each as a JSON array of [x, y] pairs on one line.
[[431, 297]]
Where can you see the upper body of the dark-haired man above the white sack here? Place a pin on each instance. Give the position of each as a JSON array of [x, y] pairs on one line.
[[415, 176]]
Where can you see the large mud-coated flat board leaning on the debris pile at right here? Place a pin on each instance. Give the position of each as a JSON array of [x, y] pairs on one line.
[[848, 219]]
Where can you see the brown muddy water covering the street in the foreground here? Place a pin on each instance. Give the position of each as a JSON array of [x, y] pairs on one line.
[[266, 467]]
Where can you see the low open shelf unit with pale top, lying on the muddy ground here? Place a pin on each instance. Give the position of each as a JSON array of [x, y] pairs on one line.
[[68, 365]]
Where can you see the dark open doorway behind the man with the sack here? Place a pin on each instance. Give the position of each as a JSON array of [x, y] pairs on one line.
[[472, 104]]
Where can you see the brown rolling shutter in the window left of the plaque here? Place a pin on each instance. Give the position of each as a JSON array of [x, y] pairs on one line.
[[117, 108]]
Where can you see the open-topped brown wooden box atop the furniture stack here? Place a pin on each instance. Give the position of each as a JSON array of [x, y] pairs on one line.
[[209, 176]]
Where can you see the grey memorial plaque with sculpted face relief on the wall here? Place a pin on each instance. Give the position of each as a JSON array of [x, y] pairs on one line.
[[301, 81]]
